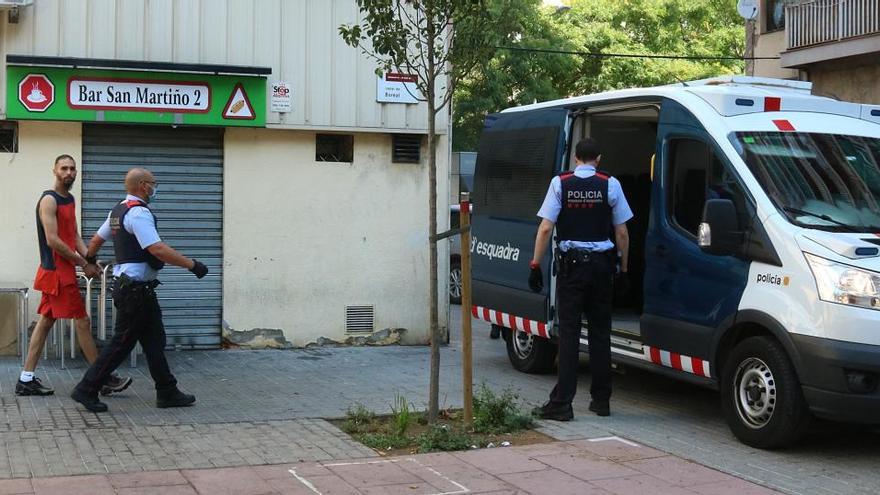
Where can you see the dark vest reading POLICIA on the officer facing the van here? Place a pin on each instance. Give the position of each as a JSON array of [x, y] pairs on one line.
[[585, 214]]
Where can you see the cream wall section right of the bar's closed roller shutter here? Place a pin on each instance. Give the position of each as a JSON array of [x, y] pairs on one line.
[[303, 239]]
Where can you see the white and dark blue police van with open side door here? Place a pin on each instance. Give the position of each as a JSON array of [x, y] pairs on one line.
[[754, 250]]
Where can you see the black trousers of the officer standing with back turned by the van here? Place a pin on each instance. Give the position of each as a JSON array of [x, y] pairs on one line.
[[584, 286]]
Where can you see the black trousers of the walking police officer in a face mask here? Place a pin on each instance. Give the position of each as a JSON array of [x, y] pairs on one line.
[[138, 319]]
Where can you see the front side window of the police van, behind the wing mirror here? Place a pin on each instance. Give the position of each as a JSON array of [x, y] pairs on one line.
[[697, 174]]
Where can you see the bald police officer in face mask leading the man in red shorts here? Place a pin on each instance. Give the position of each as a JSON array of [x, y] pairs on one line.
[[140, 254]]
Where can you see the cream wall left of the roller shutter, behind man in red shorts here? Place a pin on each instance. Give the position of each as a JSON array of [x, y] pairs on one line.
[[25, 175]]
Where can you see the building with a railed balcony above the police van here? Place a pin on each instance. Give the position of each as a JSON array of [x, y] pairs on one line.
[[835, 44]]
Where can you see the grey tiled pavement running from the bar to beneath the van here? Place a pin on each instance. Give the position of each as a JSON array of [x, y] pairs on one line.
[[260, 407]]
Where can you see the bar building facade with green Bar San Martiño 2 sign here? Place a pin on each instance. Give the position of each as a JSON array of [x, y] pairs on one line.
[[283, 162]]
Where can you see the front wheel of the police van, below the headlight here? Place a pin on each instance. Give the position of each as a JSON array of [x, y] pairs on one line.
[[761, 395]]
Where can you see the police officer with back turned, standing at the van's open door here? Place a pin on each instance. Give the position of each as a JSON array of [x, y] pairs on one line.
[[583, 205]]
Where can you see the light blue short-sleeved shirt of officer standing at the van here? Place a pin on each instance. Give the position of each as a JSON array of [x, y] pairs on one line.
[[552, 205]]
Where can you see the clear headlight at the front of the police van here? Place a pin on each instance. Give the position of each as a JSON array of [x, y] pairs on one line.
[[844, 284]]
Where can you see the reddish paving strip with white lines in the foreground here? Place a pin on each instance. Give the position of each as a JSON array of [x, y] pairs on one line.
[[583, 467]]
